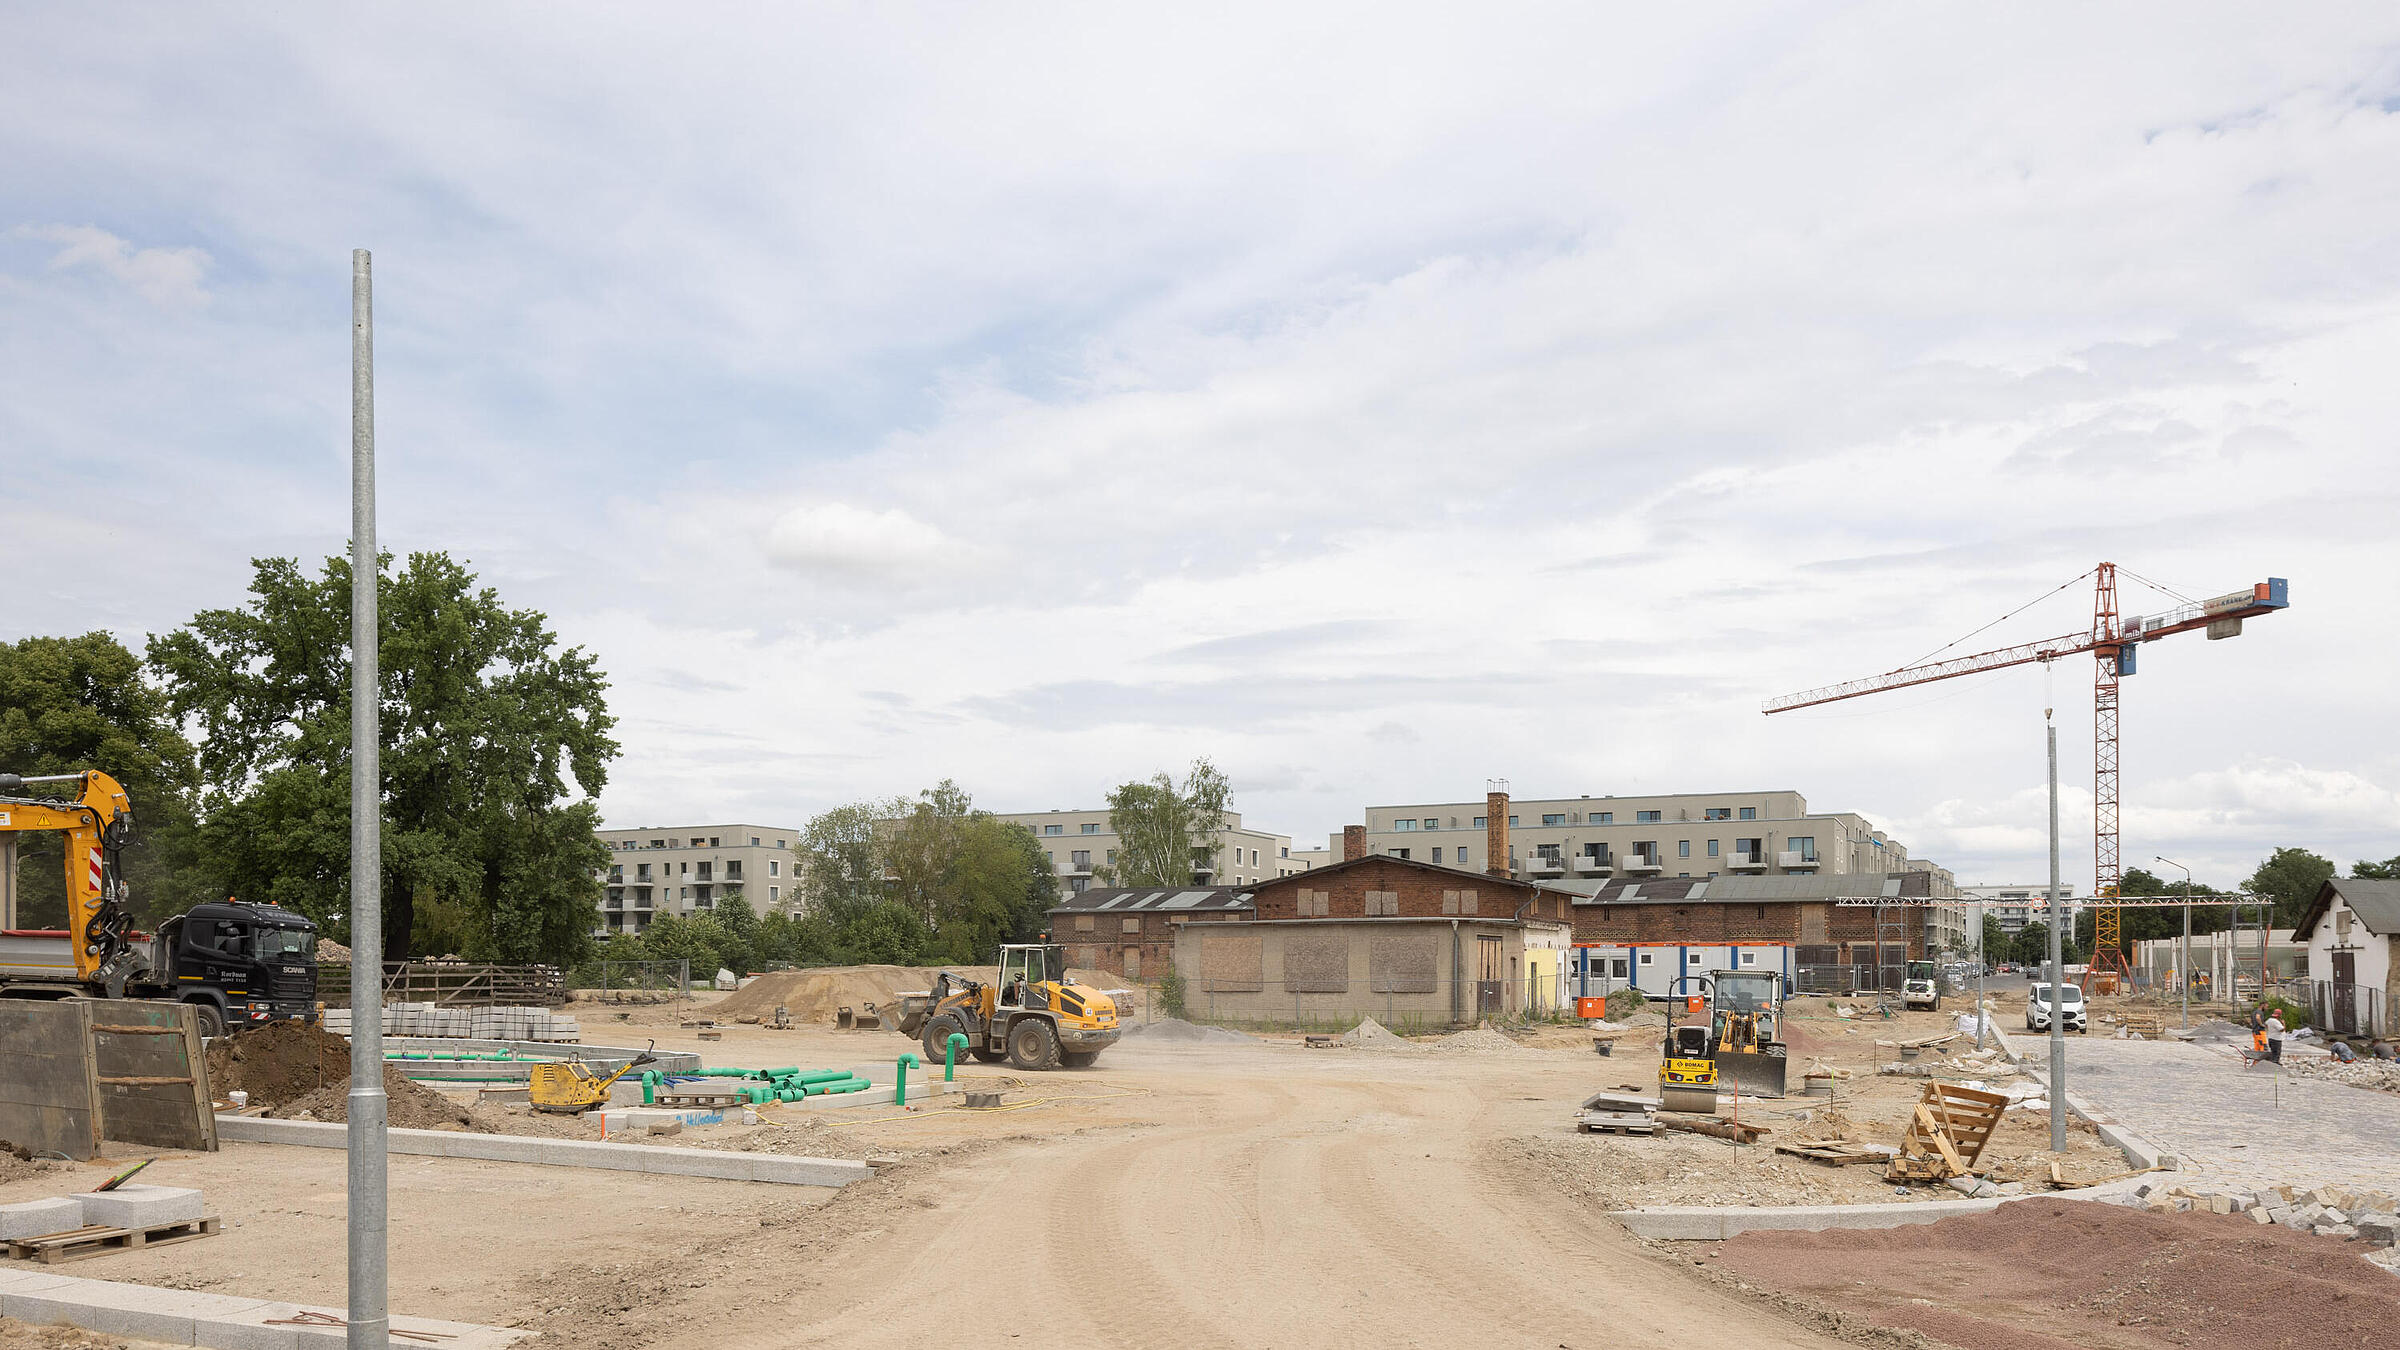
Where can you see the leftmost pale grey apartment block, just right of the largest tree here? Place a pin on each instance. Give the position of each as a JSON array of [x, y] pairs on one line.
[[690, 868]]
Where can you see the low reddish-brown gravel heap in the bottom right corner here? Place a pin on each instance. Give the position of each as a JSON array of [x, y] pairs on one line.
[[2044, 1274]]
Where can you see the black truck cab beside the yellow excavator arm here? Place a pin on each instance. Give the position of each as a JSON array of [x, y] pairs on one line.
[[246, 960]]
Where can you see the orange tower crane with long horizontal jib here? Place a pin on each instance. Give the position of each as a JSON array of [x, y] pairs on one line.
[[2113, 640]]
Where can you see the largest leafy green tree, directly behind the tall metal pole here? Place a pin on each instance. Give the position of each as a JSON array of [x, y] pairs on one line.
[[496, 746]]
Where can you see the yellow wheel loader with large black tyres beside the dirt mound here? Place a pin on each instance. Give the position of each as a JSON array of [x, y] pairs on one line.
[[1031, 1017]]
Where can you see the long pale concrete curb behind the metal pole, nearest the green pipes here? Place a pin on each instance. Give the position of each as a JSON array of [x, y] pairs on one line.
[[721, 1164]]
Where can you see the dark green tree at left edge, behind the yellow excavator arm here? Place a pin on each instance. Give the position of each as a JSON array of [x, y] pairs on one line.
[[83, 703]]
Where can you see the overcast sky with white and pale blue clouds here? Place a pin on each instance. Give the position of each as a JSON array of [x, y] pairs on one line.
[[1369, 400]]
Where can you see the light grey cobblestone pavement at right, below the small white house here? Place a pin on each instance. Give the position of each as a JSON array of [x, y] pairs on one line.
[[2228, 1121]]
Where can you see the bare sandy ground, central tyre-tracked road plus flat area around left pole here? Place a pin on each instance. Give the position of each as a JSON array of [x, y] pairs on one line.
[[1177, 1195]]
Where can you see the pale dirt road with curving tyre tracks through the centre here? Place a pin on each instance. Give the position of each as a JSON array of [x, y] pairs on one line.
[[1280, 1200]]
